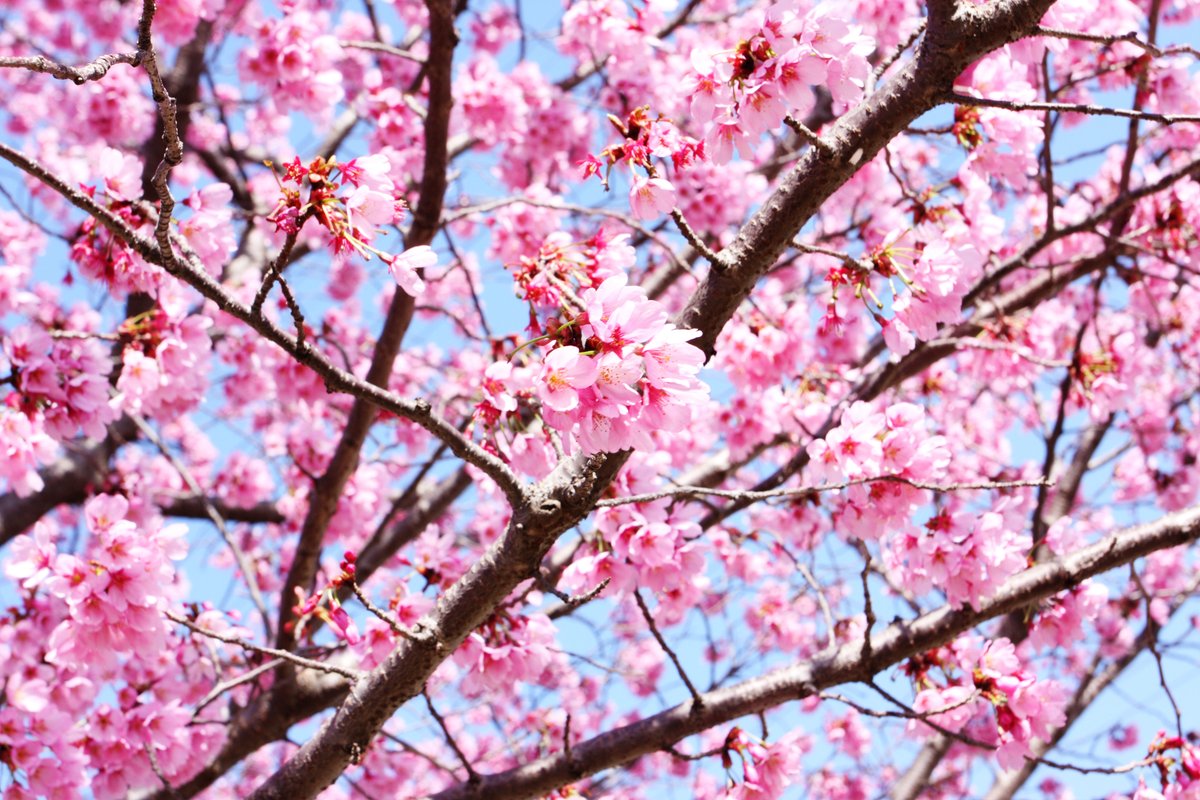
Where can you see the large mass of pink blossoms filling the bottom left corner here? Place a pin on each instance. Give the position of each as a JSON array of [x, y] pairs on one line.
[[91, 622]]
